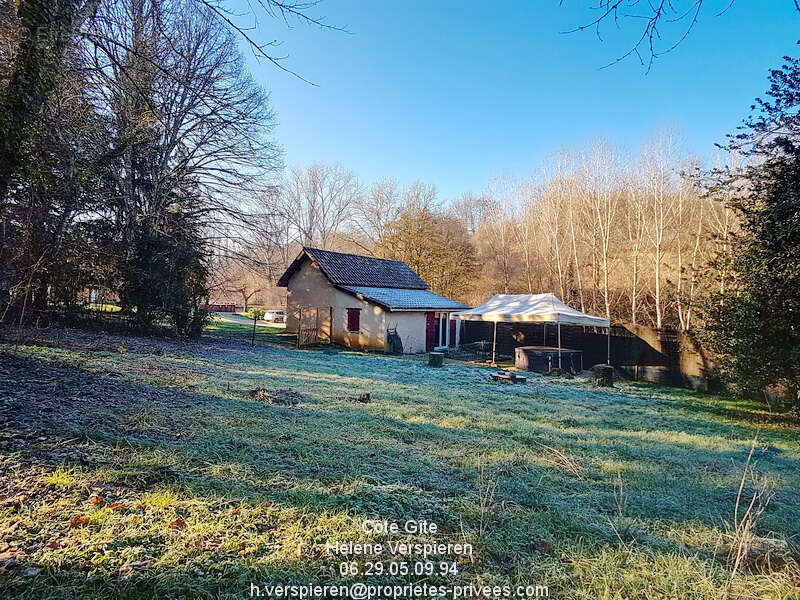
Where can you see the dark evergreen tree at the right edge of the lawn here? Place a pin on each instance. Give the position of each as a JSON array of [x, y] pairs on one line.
[[755, 325]]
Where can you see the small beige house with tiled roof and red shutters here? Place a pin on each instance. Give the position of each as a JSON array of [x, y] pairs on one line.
[[355, 300]]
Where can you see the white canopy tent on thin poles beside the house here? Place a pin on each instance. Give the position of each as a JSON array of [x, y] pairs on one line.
[[532, 308]]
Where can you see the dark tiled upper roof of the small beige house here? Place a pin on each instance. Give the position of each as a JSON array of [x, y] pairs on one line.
[[355, 270]]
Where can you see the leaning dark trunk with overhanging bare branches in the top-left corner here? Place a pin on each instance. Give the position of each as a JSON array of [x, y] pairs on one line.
[[49, 30]]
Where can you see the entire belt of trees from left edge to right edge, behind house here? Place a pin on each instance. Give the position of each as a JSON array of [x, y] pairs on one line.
[[138, 169]]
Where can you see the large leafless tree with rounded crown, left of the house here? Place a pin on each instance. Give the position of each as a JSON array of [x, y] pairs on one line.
[[182, 91]]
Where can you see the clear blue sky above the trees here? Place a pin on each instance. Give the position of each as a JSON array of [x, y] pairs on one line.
[[453, 93]]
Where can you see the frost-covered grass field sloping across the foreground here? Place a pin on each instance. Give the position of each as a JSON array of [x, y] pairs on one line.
[[137, 468]]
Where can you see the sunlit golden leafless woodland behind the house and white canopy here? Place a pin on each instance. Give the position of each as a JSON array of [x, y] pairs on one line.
[[637, 238]]
